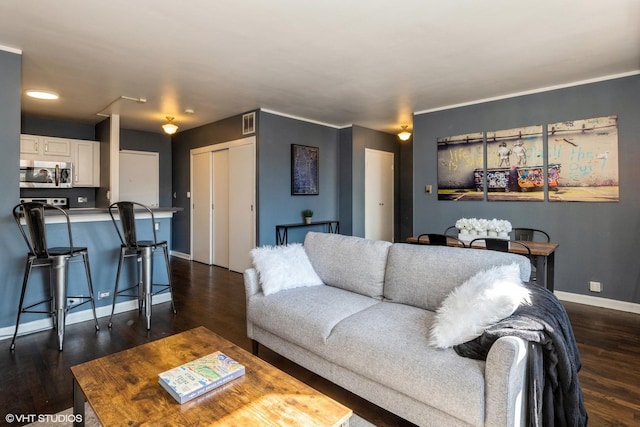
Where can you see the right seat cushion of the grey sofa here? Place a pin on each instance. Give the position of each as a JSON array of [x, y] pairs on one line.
[[387, 343]]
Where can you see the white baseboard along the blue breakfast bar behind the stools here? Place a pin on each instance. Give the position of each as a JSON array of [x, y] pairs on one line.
[[78, 316]]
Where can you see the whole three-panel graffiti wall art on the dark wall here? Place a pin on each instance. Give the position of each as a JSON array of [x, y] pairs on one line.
[[509, 165]]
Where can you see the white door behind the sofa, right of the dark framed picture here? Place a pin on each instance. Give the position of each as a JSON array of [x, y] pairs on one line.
[[378, 195]]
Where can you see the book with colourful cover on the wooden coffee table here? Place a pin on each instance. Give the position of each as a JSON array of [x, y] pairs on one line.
[[199, 376]]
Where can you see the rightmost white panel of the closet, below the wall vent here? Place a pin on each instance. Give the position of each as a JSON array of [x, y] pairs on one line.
[[241, 206]]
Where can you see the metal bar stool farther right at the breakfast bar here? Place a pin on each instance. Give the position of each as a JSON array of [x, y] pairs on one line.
[[142, 251]]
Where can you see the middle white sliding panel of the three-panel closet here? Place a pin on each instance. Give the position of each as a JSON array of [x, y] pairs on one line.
[[220, 228]]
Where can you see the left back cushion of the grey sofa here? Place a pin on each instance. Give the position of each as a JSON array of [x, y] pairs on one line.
[[351, 263]]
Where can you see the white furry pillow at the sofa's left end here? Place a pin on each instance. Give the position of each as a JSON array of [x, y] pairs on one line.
[[283, 267]]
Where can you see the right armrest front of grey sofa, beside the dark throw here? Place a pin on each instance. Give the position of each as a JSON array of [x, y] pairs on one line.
[[506, 382]]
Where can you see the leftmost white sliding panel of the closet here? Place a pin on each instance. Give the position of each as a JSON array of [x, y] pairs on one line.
[[201, 212]]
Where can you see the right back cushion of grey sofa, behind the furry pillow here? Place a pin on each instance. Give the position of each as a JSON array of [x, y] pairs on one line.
[[423, 275]]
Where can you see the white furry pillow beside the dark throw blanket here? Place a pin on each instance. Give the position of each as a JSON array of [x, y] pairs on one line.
[[484, 299]]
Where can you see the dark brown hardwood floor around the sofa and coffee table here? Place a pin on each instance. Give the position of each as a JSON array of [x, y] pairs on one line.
[[35, 379]]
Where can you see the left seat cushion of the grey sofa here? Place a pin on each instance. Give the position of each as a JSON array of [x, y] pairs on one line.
[[305, 316]]
